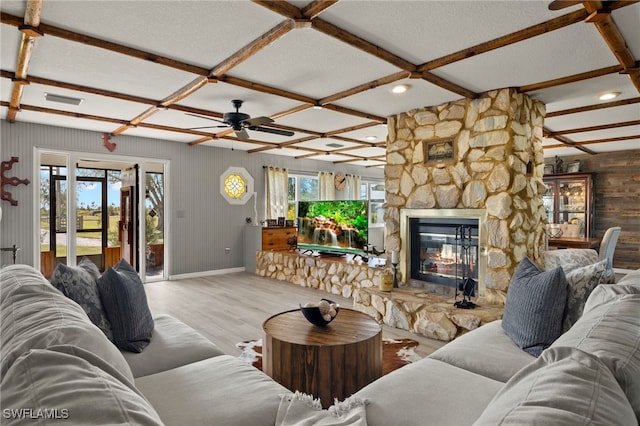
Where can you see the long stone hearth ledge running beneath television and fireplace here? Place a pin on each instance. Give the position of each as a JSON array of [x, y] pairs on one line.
[[407, 308]]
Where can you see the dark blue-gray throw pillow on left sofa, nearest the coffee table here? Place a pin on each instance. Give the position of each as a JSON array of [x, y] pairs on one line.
[[125, 303]]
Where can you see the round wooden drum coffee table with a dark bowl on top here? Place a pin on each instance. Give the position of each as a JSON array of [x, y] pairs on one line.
[[327, 362]]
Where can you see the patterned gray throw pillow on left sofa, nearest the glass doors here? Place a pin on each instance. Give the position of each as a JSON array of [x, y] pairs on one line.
[[79, 284]]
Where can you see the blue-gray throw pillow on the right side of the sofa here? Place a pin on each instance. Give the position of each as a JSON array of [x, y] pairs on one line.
[[535, 305]]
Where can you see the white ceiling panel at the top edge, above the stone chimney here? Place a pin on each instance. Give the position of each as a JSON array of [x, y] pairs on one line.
[[416, 29]]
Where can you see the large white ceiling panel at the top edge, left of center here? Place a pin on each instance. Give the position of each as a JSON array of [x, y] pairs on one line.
[[174, 25]]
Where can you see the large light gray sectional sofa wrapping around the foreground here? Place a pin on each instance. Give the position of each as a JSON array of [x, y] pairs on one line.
[[55, 362]]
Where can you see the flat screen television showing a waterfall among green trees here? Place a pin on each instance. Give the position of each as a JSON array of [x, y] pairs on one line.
[[333, 226]]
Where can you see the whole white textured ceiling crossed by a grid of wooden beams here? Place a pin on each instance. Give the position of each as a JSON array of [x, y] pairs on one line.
[[87, 45]]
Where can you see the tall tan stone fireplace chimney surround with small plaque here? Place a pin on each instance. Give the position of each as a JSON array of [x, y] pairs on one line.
[[482, 156]]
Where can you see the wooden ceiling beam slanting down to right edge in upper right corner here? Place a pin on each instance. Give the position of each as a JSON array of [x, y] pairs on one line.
[[611, 34]]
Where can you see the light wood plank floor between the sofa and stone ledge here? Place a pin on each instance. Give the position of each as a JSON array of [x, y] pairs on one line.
[[231, 308]]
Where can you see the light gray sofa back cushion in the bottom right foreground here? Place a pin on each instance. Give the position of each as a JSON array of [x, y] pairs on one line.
[[564, 386]]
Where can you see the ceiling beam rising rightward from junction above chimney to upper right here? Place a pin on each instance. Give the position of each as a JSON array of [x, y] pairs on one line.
[[515, 37]]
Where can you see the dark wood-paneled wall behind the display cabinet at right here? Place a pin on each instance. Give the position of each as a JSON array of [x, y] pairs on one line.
[[617, 200]]
